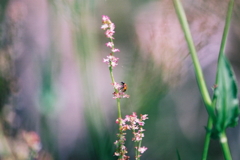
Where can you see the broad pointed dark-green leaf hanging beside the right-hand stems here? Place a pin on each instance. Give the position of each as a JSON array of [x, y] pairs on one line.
[[226, 96]]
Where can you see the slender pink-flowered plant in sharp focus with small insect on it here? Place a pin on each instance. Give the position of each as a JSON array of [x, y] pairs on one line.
[[131, 122]]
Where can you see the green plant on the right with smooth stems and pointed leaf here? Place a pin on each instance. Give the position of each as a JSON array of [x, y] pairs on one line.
[[223, 108]]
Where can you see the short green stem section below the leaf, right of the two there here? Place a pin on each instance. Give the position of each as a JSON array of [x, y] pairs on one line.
[[224, 144]]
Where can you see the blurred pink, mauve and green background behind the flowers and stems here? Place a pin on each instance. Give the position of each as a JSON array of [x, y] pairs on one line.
[[53, 81]]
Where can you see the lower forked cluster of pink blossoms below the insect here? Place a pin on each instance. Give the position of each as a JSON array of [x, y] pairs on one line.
[[133, 123]]
